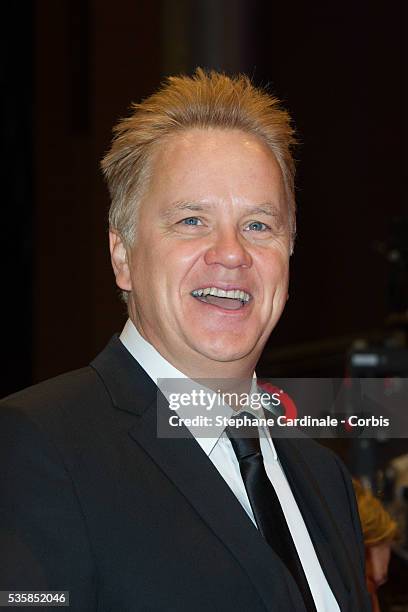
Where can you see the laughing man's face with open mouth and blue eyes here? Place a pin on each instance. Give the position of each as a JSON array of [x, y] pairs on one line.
[[215, 217]]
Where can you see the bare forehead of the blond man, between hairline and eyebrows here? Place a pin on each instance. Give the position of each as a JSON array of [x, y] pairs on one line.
[[214, 163]]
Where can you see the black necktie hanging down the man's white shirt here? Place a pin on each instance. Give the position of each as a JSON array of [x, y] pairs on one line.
[[266, 506]]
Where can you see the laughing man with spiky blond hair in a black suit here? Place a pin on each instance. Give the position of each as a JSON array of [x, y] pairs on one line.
[[94, 501]]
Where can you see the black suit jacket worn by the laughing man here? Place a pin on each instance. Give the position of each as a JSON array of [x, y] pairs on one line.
[[93, 502]]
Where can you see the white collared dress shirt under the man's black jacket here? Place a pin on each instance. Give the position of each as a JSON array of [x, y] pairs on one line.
[[219, 450]]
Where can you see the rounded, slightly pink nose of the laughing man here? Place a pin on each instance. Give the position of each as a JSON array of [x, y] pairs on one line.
[[228, 249]]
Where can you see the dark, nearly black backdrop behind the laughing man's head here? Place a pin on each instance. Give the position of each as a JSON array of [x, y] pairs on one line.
[[69, 70]]
